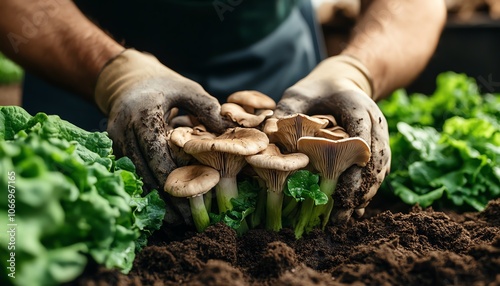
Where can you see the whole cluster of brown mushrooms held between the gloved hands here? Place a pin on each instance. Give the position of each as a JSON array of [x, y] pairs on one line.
[[274, 148]]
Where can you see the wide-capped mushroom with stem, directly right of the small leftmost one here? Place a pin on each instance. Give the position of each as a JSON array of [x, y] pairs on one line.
[[226, 153]]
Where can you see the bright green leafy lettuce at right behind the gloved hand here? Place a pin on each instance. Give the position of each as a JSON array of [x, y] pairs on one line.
[[445, 147]]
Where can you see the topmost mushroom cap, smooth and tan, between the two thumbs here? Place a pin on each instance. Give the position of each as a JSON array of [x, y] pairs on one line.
[[251, 100]]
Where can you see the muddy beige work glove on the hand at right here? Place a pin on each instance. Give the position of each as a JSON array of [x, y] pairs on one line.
[[341, 86]]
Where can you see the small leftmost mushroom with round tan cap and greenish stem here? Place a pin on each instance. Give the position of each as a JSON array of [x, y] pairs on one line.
[[192, 182]]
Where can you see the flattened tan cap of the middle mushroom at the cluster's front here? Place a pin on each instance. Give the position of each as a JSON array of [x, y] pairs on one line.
[[271, 158]]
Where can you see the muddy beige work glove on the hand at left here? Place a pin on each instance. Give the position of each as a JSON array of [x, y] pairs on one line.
[[137, 93]]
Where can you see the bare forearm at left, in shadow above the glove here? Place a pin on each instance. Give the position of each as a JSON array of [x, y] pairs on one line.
[[53, 39]]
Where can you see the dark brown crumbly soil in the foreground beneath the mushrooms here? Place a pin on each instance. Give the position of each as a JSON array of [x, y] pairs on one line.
[[412, 247]]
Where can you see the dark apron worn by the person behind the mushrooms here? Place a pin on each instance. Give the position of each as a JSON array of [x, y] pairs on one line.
[[225, 45]]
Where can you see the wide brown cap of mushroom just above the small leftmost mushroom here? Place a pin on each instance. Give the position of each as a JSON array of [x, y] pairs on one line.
[[226, 152]]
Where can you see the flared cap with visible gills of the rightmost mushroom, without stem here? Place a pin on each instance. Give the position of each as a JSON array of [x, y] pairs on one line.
[[332, 157]]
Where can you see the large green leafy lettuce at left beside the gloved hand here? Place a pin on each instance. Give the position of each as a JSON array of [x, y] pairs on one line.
[[72, 200]]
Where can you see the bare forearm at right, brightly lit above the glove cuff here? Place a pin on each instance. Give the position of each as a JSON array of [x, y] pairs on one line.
[[395, 40]]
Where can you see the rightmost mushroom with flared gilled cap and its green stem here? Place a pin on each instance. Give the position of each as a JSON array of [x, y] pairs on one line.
[[331, 158]]
